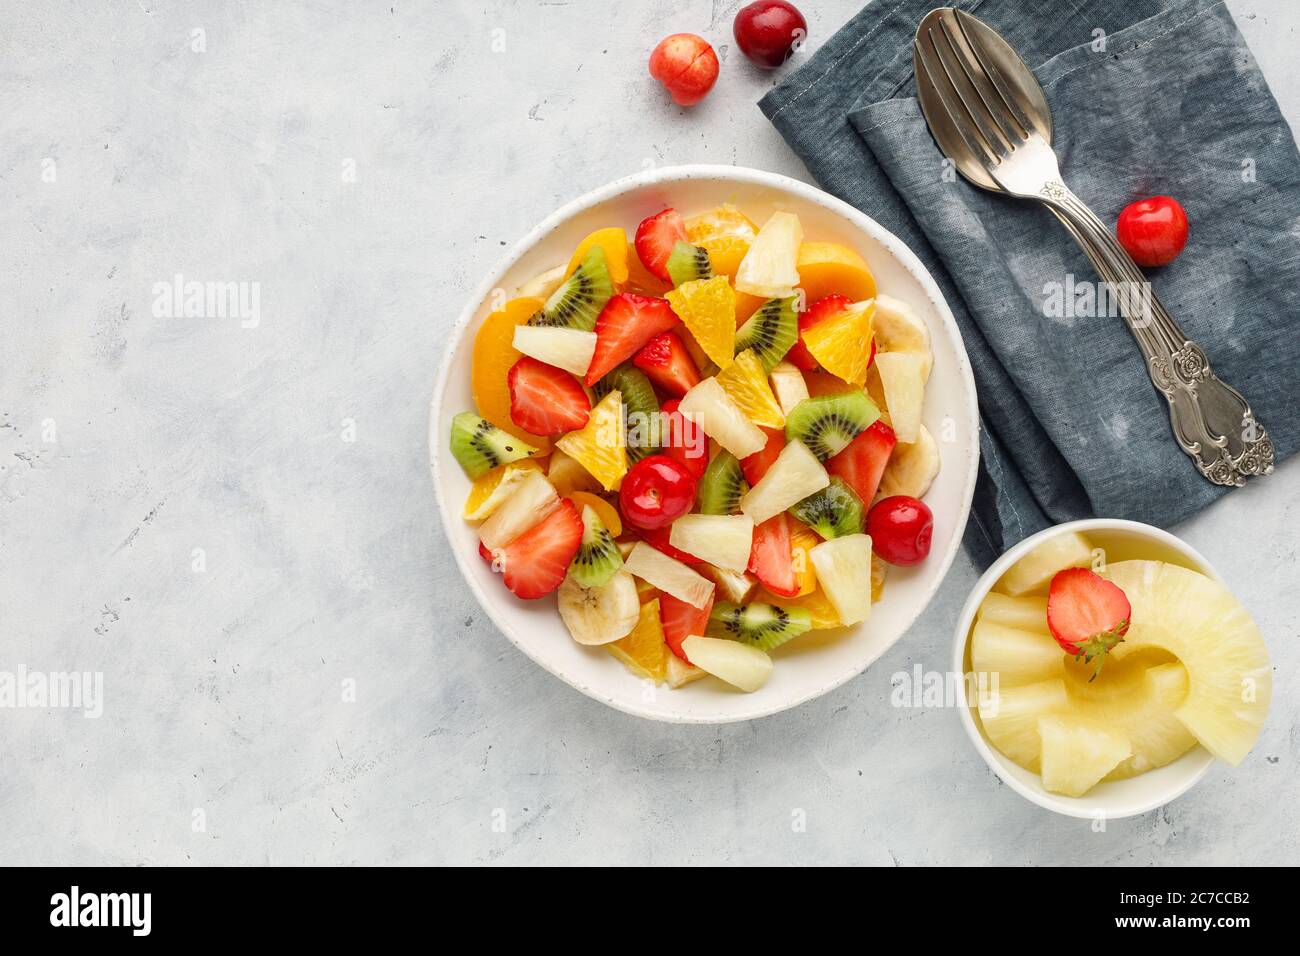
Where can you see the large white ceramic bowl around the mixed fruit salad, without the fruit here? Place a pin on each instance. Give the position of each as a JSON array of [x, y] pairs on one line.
[[818, 661]]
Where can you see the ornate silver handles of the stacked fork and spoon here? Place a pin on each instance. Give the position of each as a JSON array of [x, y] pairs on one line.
[[1212, 421]]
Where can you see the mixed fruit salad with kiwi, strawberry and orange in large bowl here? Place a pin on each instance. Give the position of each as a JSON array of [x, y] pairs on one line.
[[705, 442]]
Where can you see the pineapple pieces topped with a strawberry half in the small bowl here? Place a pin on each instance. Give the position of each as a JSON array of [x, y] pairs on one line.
[[1102, 672]]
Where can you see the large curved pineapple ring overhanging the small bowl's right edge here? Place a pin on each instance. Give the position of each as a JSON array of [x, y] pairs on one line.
[[1198, 621]]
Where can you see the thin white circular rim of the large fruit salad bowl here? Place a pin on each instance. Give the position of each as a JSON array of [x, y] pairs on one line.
[[894, 245]]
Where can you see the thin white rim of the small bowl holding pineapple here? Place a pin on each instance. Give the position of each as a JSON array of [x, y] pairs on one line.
[[1069, 807]]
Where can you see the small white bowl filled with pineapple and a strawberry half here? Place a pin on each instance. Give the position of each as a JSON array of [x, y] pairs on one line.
[[1108, 668]]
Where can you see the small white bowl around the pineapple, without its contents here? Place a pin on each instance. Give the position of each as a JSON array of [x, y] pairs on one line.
[[1115, 799]]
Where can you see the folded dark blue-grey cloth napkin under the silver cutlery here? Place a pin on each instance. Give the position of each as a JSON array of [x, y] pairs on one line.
[[1149, 98]]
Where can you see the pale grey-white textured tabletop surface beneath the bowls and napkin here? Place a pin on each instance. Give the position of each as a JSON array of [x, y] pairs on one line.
[[324, 560]]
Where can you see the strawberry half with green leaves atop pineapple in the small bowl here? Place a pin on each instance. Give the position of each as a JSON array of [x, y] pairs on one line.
[[1087, 615]]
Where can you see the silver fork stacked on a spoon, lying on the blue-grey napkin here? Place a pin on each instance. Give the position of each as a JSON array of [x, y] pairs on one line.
[[989, 115]]
